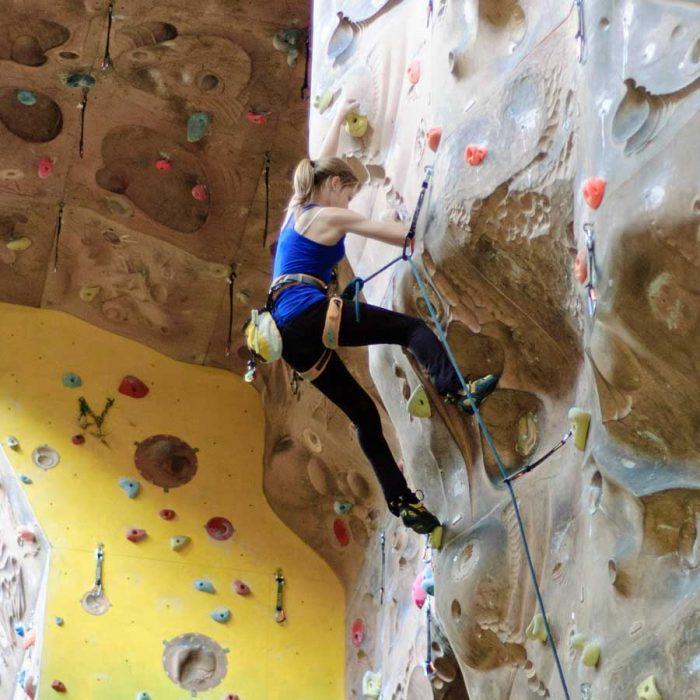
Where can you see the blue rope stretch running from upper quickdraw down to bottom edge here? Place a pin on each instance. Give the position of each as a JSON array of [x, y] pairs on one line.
[[504, 474]]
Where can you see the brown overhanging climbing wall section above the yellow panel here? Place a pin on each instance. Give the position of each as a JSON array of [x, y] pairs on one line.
[[133, 142]]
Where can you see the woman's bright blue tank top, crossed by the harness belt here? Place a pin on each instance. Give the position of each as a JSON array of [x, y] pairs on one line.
[[296, 253]]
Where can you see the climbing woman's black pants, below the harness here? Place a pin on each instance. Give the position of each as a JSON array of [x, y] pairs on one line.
[[302, 348]]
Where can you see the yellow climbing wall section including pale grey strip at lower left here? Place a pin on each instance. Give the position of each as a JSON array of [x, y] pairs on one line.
[[110, 447]]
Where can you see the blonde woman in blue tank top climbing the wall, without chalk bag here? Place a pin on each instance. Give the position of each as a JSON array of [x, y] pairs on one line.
[[310, 244]]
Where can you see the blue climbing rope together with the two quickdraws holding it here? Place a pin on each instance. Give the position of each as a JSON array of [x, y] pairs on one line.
[[351, 292]]
